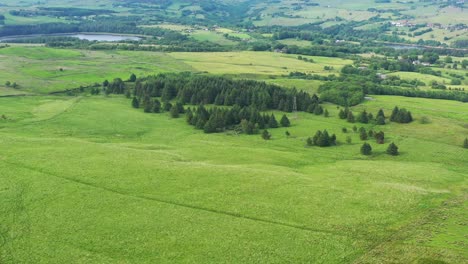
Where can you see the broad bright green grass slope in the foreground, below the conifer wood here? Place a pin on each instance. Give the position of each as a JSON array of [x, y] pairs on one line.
[[128, 187]]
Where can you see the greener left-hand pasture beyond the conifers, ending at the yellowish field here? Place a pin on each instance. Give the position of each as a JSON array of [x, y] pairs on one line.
[[43, 70]]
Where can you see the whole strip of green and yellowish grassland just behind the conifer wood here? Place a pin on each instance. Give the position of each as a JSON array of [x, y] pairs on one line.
[[44, 70]]
